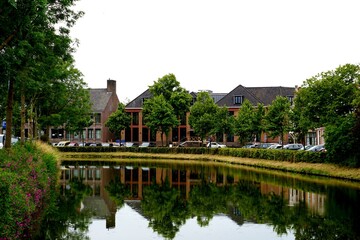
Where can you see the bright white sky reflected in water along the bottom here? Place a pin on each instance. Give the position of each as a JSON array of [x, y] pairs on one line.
[[131, 225]]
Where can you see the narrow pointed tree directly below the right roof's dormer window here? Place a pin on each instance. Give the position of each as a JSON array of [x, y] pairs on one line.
[[245, 122]]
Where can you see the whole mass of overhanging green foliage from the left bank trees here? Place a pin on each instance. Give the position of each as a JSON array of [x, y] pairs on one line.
[[36, 57]]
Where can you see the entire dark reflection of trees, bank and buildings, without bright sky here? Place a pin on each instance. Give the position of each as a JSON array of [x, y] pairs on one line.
[[170, 196]]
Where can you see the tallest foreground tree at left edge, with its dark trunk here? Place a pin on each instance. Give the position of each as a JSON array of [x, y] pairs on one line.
[[25, 27]]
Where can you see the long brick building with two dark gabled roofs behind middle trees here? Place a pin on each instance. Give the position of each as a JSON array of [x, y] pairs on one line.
[[233, 100]]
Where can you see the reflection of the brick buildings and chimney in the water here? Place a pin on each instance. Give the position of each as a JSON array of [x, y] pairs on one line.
[[136, 178]]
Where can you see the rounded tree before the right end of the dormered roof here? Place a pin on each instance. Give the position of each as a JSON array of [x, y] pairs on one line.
[[277, 118]]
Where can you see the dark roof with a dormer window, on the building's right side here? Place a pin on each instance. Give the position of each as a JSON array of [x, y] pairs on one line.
[[255, 95]]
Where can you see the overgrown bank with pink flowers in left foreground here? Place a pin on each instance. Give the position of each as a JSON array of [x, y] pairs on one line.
[[28, 177]]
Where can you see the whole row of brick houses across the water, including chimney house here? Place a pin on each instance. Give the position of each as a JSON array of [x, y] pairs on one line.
[[105, 101]]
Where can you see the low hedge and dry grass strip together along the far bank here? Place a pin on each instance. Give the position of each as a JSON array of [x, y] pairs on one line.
[[217, 155]]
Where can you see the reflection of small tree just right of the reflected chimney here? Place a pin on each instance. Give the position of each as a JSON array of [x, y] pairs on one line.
[[118, 191]]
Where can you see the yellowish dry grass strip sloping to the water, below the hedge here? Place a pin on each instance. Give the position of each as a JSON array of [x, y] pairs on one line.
[[319, 169]]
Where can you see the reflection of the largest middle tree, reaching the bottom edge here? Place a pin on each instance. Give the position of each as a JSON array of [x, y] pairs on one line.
[[165, 208]]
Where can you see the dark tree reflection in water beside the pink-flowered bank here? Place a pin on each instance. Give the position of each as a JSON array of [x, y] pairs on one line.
[[65, 220]]
